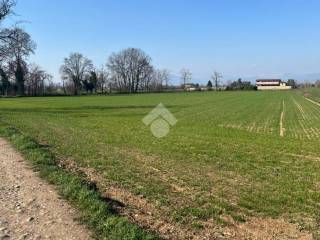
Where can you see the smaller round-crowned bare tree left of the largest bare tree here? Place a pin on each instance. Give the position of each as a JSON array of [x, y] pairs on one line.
[[74, 69]]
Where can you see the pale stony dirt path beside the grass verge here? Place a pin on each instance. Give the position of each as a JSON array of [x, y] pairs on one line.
[[29, 207]]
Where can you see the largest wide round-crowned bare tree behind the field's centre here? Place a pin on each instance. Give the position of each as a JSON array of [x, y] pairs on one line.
[[130, 68]]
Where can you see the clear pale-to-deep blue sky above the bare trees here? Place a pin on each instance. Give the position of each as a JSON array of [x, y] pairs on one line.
[[248, 38]]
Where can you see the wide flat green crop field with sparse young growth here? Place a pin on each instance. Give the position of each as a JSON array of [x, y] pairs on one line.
[[232, 156]]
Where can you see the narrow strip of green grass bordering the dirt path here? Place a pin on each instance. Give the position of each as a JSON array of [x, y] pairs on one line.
[[94, 210]]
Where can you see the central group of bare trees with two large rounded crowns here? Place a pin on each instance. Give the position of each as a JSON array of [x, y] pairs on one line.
[[128, 71]]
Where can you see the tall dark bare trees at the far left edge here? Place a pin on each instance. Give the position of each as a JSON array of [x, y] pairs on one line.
[[17, 75]]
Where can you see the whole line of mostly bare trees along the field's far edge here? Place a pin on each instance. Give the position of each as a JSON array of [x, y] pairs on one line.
[[127, 71]]
